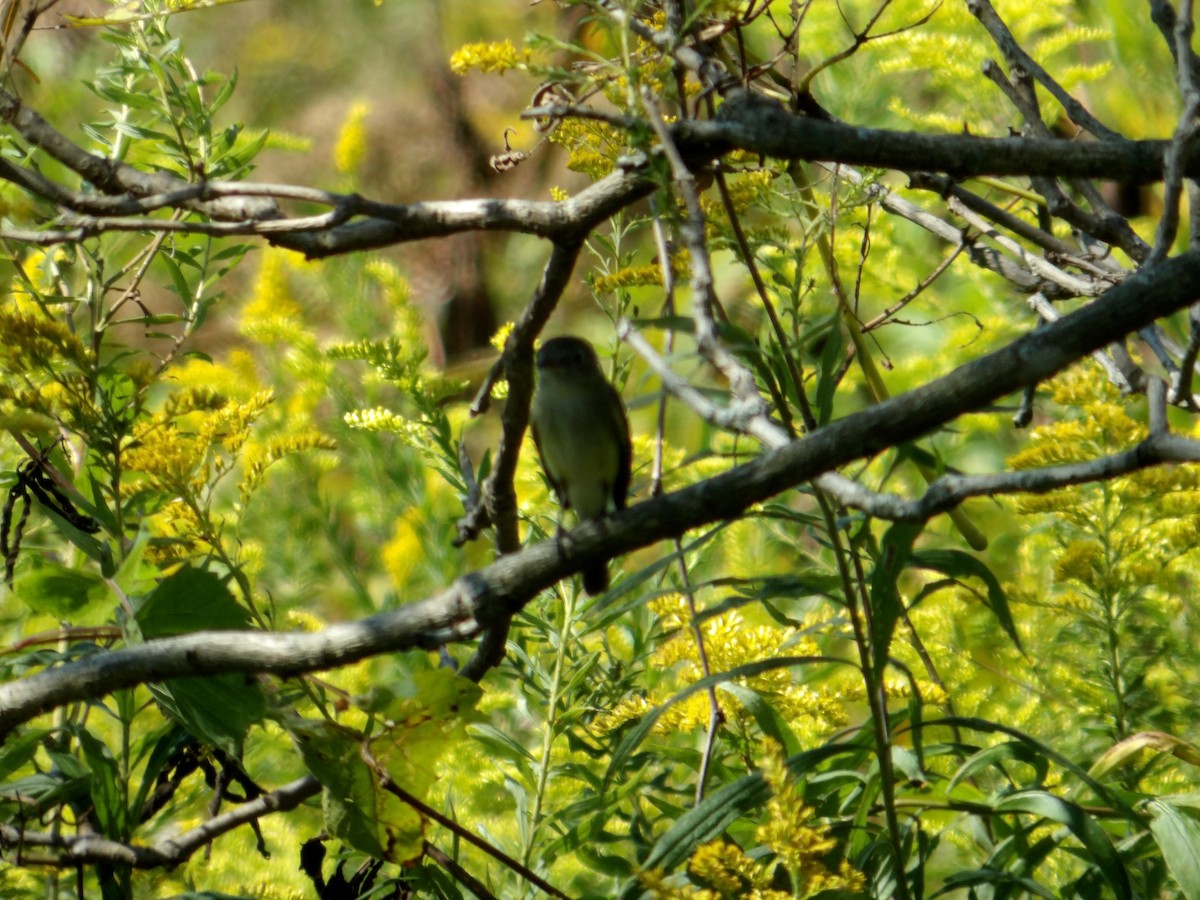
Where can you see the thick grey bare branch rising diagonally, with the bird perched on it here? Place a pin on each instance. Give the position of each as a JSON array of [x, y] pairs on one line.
[[508, 584]]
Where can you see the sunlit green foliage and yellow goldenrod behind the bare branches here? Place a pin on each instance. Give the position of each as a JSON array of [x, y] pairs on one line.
[[271, 443]]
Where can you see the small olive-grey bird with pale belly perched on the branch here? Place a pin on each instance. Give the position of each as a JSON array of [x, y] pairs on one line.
[[583, 437]]
